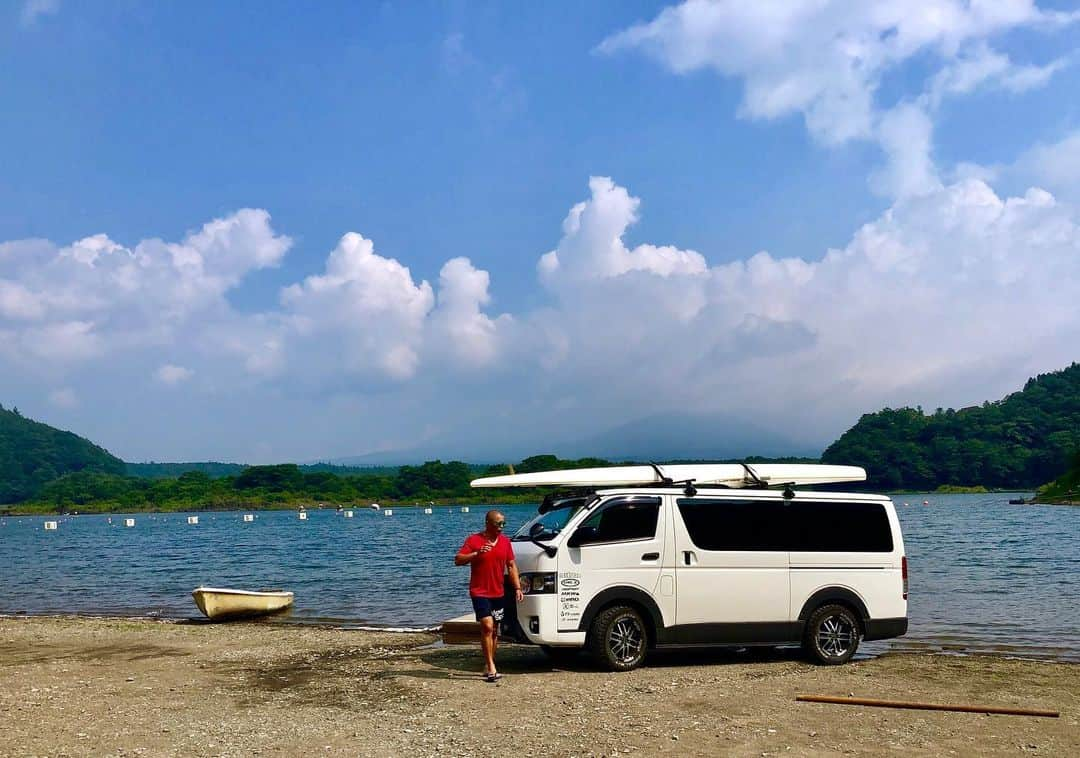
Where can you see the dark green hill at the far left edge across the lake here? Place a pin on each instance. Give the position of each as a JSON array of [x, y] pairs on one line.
[[33, 454]]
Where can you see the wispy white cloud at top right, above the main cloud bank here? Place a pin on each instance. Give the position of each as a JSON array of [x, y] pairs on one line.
[[826, 60]]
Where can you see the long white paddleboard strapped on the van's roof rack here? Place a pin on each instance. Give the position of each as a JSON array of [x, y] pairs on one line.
[[722, 475]]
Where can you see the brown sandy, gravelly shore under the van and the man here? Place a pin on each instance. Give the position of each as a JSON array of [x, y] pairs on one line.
[[85, 686]]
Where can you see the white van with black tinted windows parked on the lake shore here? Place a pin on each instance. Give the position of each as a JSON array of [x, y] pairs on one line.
[[626, 570]]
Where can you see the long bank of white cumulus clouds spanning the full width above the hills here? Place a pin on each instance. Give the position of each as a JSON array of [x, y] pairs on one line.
[[921, 306]]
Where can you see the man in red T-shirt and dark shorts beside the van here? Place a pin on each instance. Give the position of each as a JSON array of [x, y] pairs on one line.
[[490, 554]]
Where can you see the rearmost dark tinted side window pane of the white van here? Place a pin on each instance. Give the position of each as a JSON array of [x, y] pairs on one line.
[[840, 527]]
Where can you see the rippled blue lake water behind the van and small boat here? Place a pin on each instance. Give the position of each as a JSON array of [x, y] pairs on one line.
[[985, 576]]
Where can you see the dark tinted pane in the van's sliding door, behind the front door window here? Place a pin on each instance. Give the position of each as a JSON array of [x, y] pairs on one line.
[[734, 525]]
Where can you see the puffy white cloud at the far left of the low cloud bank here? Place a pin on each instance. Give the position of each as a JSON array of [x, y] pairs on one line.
[[97, 296]]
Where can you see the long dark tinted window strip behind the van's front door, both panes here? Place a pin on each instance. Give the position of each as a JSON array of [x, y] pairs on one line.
[[801, 526]]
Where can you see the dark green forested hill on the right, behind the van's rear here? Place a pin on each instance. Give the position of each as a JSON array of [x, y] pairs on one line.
[[1021, 442]]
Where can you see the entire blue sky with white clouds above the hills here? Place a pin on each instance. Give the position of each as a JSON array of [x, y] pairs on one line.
[[721, 153]]
